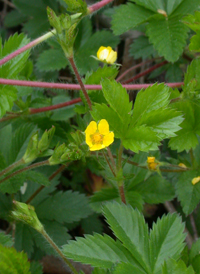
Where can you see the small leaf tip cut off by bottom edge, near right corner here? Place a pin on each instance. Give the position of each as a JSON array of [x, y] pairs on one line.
[[171, 266]]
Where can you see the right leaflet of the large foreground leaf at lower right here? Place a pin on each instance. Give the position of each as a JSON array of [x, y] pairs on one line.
[[166, 240]]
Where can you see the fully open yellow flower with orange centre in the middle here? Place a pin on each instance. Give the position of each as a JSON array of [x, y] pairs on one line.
[[98, 136]]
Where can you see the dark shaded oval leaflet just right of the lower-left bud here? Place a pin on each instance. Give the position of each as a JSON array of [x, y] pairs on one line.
[[72, 207]]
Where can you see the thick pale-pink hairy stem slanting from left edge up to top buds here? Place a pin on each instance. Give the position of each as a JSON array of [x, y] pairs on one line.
[[28, 46]]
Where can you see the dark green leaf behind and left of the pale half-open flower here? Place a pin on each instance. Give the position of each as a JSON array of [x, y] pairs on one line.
[[82, 56]]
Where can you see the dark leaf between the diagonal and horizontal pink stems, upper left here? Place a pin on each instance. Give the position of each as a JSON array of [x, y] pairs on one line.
[[51, 59]]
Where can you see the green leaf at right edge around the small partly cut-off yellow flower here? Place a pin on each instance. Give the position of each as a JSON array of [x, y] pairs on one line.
[[188, 194]]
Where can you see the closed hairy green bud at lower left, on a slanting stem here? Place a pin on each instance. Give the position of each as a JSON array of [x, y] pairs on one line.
[[26, 214]]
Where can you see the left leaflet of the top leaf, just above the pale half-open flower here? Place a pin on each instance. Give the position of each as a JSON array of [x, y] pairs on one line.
[[129, 16]]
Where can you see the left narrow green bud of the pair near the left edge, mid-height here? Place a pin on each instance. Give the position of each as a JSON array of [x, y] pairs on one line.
[[32, 149]]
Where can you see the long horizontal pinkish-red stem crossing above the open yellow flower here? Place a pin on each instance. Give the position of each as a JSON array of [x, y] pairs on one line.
[[75, 86]]
